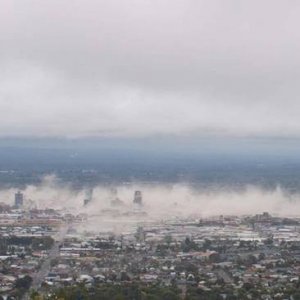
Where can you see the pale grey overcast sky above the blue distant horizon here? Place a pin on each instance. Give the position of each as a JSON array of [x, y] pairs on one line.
[[144, 67]]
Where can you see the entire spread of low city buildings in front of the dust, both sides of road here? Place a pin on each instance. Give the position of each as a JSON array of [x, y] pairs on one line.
[[230, 257]]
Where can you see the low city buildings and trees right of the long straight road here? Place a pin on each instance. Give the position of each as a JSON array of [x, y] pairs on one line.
[[257, 257]]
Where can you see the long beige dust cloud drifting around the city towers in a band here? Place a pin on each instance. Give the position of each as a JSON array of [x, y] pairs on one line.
[[159, 201]]
